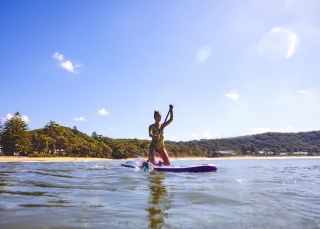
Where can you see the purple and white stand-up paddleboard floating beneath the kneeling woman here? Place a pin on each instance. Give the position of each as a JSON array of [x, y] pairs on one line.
[[177, 169]]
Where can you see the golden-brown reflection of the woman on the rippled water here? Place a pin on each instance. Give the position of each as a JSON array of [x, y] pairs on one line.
[[159, 201]]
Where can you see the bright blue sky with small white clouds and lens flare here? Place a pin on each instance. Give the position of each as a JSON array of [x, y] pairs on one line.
[[230, 68]]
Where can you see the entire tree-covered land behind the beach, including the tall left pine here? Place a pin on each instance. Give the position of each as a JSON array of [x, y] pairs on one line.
[[56, 140]]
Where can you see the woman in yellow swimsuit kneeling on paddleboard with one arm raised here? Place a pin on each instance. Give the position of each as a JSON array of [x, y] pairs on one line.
[[156, 133]]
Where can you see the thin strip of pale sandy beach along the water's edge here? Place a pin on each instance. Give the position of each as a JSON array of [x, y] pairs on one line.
[[91, 159]]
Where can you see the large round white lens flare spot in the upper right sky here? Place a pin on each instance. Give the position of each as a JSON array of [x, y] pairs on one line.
[[278, 44]]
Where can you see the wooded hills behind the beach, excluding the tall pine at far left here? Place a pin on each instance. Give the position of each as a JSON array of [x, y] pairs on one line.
[[75, 143]]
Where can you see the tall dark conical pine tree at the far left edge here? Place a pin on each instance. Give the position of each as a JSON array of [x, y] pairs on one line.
[[15, 137]]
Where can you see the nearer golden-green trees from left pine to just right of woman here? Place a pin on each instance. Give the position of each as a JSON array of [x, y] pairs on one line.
[[56, 140]]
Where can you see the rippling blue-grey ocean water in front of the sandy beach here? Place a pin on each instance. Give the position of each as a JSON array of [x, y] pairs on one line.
[[244, 193]]
